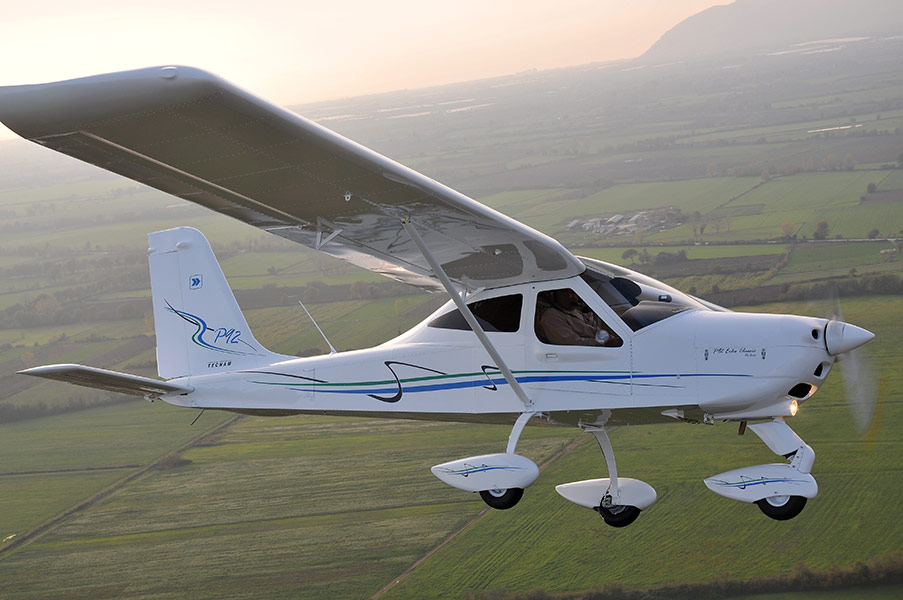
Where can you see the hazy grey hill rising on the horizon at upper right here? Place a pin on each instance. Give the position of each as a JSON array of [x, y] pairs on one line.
[[750, 25]]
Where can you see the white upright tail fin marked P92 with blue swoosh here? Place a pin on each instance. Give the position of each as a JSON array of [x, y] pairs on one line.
[[200, 328]]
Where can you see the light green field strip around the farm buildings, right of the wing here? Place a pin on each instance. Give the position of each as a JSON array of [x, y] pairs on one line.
[[735, 209]]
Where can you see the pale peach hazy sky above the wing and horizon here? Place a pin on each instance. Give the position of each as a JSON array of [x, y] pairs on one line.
[[294, 52]]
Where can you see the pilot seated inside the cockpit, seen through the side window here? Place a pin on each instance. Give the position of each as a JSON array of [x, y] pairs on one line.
[[563, 323]]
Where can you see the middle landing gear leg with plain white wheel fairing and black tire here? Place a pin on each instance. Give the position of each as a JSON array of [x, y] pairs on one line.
[[617, 500]]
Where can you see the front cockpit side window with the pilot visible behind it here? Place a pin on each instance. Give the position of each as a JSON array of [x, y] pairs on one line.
[[563, 319]]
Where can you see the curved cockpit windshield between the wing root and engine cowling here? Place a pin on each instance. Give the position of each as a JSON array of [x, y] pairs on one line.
[[639, 300]]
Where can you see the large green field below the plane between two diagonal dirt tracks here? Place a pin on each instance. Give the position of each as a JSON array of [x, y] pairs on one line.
[[286, 507]]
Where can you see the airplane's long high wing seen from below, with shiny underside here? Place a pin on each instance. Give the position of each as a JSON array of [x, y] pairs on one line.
[[194, 135]]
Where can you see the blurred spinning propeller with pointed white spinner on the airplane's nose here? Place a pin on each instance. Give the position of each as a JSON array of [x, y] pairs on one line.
[[859, 375]]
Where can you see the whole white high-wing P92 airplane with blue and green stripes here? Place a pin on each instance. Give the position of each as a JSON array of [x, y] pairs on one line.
[[531, 334]]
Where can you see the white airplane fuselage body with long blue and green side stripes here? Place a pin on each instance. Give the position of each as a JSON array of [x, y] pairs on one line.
[[697, 365]]
